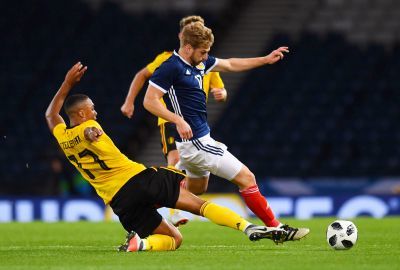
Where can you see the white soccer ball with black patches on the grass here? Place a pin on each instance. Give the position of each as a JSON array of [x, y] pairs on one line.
[[341, 234]]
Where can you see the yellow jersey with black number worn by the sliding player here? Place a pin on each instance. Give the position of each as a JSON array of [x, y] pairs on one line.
[[100, 163]]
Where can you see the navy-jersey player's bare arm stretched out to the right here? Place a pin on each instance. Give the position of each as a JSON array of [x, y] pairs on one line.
[[242, 64]]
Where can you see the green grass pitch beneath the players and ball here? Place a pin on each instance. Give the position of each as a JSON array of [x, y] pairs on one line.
[[85, 245]]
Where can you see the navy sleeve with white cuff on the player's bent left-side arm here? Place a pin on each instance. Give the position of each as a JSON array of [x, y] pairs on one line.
[[163, 77]]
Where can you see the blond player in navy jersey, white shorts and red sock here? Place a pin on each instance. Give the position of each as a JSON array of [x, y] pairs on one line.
[[179, 81]]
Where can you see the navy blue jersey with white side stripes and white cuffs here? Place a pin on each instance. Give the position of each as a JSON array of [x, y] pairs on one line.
[[183, 85]]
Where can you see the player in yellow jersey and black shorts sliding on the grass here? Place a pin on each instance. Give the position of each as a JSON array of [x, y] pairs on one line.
[[132, 190]]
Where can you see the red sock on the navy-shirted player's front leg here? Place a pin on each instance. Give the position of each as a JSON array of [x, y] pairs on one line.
[[259, 205]]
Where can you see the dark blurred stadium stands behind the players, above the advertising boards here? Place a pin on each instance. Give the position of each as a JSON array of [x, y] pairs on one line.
[[329, 111]]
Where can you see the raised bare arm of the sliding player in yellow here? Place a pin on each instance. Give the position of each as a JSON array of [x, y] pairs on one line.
[[73, 76]]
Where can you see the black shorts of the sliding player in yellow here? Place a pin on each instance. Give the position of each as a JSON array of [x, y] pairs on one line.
[[137, 201]]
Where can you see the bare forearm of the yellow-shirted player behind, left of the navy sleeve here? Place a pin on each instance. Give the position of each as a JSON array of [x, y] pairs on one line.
[[137, 84]]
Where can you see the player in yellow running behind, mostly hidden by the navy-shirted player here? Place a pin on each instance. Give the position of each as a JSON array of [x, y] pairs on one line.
[[211, 81]]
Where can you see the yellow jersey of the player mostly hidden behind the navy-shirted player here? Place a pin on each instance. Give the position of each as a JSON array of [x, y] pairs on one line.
[[210, 80]]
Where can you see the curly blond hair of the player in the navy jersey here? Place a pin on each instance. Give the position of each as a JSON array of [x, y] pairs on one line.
[[197, 35]]
